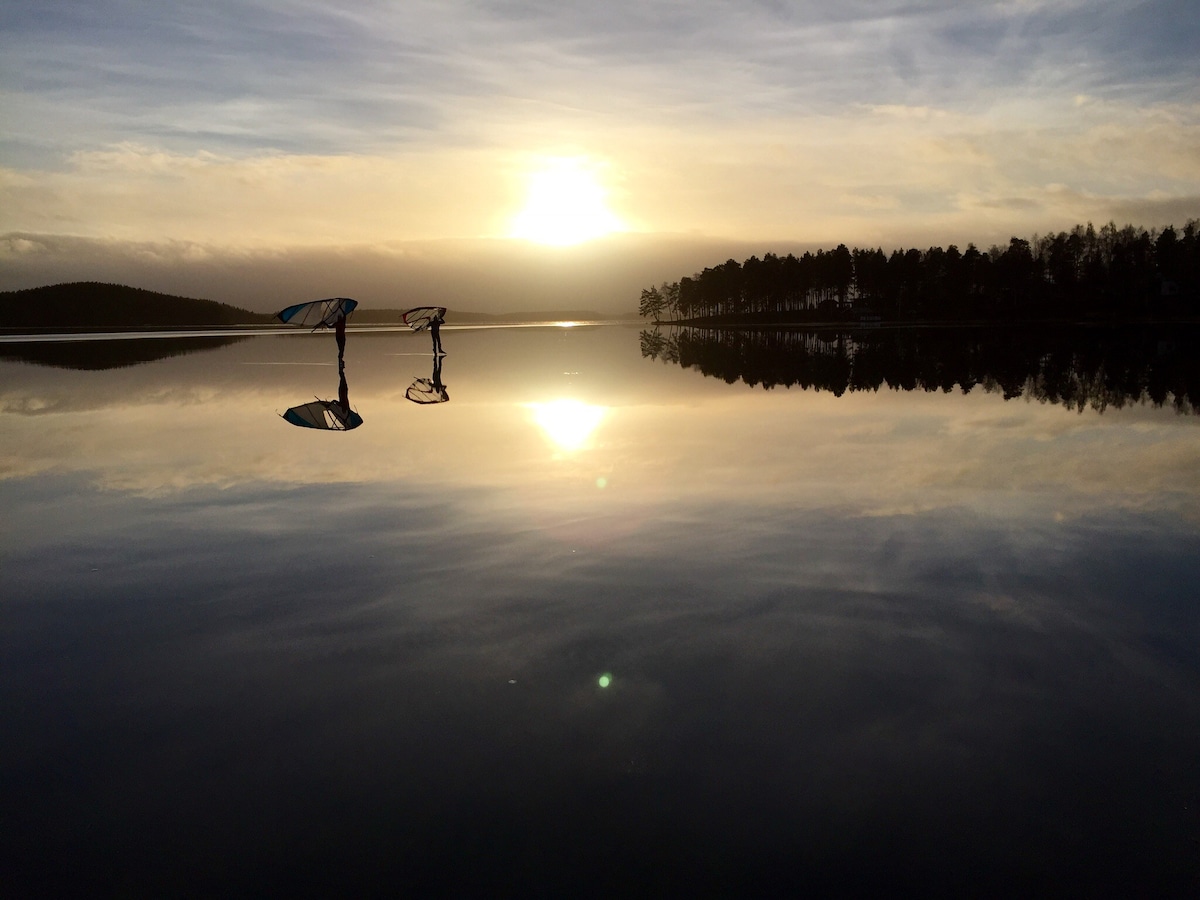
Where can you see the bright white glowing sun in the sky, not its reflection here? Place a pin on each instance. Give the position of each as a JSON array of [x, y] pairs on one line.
[[566, 205]]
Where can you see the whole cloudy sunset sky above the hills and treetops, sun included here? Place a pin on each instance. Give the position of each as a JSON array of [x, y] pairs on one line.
[[531, 155]]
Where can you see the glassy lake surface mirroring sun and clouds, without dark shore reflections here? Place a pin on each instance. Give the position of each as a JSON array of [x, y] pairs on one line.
[[596, 626]]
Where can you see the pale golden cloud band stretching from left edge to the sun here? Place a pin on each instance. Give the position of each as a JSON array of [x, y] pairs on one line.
[[133, 191]]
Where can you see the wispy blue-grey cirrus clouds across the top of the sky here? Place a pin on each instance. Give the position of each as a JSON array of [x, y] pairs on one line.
[[309, 77]]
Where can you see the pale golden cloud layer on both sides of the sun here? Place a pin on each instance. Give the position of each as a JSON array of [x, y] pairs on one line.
[[763, 179]]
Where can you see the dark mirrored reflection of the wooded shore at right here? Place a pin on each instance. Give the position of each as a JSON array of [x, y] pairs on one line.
[[1078, 368]]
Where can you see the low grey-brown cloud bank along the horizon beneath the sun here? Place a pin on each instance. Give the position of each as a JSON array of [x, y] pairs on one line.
[[481, 275]]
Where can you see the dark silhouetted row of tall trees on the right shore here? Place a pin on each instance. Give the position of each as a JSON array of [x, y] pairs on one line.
[[1087, 273]]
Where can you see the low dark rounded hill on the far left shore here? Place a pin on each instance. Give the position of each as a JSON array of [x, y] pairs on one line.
[[95, 305]]
